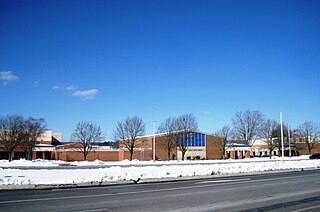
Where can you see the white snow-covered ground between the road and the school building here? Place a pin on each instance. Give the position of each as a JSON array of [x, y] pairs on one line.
[[133, 170]]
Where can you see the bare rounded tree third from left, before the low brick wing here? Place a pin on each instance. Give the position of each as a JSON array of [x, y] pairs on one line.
[[85, 134]]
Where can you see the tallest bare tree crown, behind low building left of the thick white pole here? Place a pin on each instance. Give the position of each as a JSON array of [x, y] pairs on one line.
[[247, 125]]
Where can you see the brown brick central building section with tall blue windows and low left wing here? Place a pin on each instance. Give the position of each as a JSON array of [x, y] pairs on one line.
[[200, 146]]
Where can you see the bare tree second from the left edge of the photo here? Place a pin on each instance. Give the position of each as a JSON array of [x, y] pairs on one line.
[[33, 129]]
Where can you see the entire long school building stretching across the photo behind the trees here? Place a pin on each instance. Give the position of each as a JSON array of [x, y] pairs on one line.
[[200, 146]]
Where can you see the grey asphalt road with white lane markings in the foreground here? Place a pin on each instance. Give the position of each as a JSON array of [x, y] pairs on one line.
[[289, 191]]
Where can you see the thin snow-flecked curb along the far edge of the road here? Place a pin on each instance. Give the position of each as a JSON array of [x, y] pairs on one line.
[[141, 181]]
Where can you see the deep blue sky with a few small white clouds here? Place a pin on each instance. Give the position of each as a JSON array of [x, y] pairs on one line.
[[101, 61]]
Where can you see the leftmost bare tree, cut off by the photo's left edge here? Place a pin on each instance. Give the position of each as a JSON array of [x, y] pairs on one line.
[[11, 133]]
